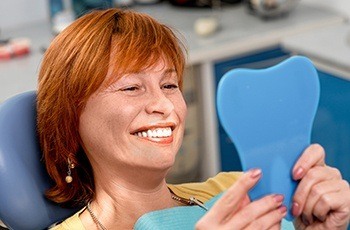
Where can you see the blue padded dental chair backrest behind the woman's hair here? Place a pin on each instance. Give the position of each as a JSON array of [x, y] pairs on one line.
[[23, 178]]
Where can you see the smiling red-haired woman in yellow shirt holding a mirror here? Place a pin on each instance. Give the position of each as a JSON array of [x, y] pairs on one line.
[[111, 120]]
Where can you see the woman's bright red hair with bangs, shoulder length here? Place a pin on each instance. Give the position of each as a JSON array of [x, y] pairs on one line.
[[74, 67]]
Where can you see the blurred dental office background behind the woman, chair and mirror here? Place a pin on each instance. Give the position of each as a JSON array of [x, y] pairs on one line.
[[220, 35]]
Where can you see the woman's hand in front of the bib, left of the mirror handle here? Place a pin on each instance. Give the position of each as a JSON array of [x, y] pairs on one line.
[[235, 211]]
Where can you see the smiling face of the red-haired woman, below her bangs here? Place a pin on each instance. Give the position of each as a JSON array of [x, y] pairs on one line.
[[137, 121]]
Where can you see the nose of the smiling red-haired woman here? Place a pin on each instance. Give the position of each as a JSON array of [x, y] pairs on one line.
[[159, 103]]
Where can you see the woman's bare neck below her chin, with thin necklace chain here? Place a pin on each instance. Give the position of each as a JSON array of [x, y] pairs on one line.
[[119, 203]]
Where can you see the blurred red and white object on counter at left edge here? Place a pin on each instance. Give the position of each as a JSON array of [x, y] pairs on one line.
[[14, 48]]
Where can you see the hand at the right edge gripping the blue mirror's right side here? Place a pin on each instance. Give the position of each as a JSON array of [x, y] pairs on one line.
[[322, 198]]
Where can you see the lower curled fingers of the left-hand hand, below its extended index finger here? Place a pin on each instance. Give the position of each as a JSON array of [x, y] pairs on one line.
[[261, 214]]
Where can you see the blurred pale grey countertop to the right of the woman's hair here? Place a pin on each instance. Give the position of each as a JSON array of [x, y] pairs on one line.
[[240, 31]]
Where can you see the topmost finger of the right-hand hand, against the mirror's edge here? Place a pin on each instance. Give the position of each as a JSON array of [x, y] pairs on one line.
[[312, 156]]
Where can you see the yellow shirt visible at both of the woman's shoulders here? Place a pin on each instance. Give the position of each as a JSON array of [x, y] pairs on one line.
[[203, 191]]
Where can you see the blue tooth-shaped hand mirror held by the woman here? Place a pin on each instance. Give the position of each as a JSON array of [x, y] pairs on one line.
[[268, 114]]
